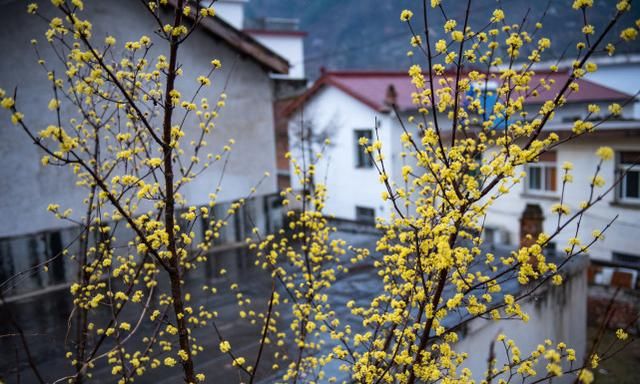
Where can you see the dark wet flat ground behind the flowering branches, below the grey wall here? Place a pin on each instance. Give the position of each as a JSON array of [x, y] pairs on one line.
[[44, 319]]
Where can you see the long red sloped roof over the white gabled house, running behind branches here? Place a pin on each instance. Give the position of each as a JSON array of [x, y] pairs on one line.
[[370, 87]]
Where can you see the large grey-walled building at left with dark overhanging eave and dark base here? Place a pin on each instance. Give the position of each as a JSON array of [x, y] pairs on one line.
[[27, 187]]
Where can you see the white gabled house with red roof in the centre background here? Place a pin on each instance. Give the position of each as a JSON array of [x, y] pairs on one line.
[[345, 106]]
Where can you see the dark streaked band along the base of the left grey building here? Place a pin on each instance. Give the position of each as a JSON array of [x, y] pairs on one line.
[[45, 261]]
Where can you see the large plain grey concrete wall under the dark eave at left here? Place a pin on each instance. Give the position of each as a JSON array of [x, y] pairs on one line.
[[26, 187]]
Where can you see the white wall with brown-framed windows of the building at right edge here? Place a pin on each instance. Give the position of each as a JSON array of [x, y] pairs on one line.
[[621, 237]]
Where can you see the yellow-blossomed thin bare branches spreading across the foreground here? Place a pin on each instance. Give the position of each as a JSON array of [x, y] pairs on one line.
[[434, 274]]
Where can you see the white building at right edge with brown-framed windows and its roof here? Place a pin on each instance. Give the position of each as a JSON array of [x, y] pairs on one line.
[[616, 80]]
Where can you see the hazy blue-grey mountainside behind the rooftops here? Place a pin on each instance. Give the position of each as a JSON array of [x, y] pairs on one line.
[[368, 34]]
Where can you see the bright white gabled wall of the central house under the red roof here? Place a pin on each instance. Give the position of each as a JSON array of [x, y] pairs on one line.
[[348, 186]]
